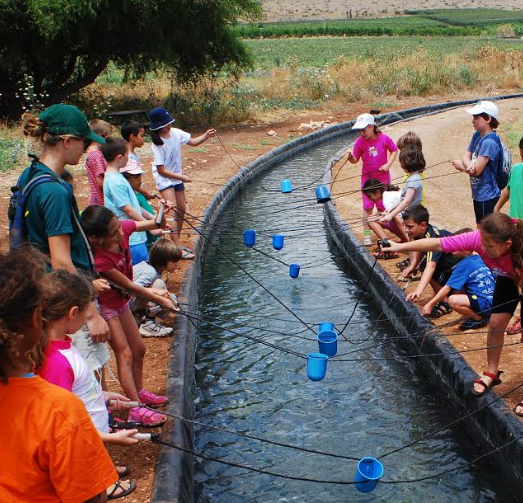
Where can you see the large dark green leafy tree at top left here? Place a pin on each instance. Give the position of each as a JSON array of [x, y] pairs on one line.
[[63, 45]]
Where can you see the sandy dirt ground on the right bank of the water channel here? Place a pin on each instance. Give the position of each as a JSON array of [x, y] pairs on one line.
[[445, 136]]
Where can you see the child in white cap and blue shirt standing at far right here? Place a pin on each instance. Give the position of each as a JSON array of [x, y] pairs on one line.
[[480, 159]]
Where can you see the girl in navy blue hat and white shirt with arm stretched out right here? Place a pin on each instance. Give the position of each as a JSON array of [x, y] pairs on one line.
[[167, 165]]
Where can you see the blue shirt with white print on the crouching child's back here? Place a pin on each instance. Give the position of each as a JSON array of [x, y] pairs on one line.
[[472, 275]]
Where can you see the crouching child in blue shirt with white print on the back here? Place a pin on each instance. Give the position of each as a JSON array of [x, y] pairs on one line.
[[469, 289]]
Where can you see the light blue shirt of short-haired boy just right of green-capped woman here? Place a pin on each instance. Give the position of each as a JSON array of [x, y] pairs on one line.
[[117, 194]]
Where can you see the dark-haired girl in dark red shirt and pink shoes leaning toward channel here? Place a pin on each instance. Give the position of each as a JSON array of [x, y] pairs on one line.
[[110, 239]]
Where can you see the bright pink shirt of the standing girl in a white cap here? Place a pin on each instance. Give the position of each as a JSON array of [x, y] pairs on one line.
[[374, 154]]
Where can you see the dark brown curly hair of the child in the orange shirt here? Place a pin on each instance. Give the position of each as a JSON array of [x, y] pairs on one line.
[[21, 275]]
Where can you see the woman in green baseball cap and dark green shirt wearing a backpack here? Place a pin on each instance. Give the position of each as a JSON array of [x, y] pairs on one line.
[[52, 217]]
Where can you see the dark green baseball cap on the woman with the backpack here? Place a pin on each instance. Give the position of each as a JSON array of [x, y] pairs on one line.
[[67, 119]]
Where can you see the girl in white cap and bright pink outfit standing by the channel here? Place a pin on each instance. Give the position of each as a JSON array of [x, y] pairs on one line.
[[372, 147]]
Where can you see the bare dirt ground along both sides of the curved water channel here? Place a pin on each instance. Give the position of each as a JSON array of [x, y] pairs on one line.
[[444, 136]]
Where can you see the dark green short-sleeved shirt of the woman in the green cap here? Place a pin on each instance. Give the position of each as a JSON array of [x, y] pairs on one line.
[[49, 212]]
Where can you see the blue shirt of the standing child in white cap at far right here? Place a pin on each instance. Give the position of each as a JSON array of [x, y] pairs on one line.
[[485, 187]]
